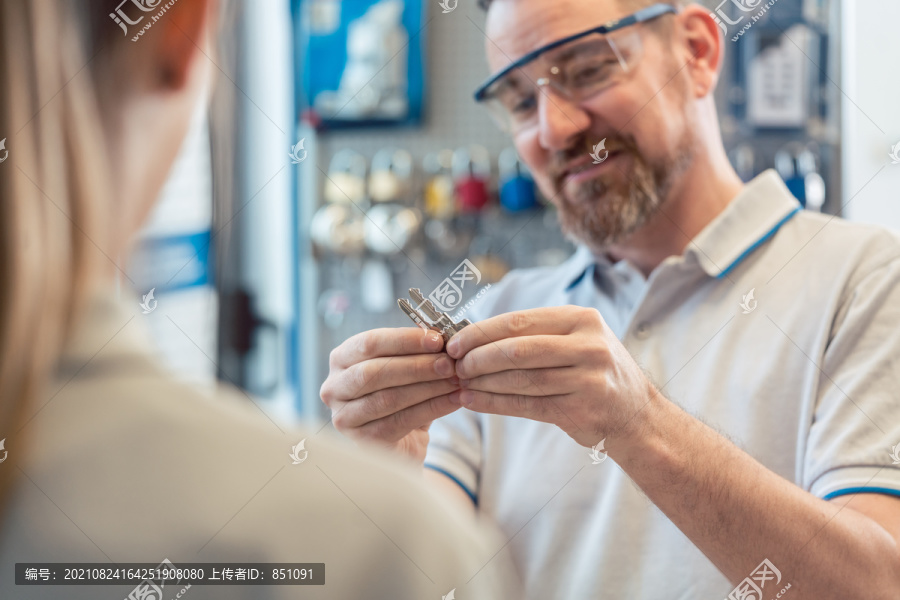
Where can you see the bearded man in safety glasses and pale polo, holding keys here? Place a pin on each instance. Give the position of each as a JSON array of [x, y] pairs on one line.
[[731, 352]]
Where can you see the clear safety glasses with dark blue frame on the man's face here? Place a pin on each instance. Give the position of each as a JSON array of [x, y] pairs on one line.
[[577, 67]]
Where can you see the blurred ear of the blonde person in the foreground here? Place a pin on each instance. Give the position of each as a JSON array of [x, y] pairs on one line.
[[184, 33]]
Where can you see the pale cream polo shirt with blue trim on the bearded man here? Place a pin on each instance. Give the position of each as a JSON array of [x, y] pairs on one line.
[[804, 377]]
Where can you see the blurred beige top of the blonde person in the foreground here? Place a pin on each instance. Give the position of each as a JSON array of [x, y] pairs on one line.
[[126, 465]]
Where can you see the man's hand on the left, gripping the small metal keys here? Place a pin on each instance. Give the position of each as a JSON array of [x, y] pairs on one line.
[[388, 385]]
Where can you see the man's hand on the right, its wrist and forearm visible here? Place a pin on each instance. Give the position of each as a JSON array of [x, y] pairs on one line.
[[560, 365]]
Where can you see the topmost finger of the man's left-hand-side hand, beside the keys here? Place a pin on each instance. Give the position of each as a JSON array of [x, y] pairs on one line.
[[386, 342]]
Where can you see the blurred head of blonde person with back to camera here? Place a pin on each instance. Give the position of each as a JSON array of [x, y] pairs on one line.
[[92, 121]]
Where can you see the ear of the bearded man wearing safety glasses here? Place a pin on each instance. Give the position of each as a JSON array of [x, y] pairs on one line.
[[703, 48]]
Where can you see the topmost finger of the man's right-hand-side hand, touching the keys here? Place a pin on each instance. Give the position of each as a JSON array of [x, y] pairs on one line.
[[554, 320]]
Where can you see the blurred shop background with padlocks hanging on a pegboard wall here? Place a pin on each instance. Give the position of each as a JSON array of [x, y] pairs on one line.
[[343, 161]]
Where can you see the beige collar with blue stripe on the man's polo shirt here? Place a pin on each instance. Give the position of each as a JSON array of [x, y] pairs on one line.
[[756, 213]]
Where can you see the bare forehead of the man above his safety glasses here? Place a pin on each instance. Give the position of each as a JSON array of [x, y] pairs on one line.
[[516, 27]]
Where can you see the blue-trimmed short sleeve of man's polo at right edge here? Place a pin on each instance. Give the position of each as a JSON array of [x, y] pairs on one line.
[[854, 440]]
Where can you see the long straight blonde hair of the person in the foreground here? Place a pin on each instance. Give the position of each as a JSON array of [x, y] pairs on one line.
[[54, 202]]
